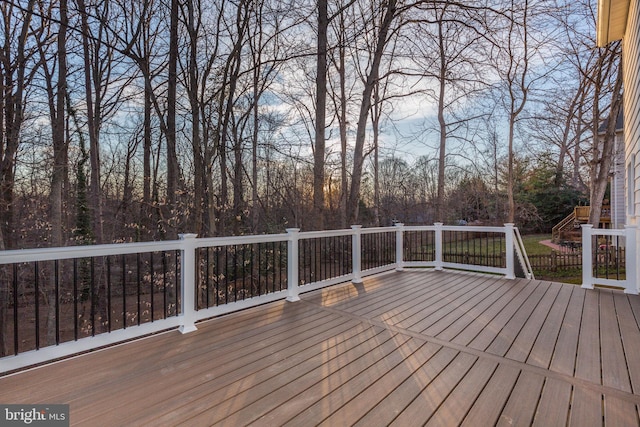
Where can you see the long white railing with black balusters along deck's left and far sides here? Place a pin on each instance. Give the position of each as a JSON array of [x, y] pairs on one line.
[[482, 249]]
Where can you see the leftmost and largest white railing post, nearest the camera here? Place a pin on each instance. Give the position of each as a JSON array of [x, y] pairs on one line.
[[188, 283]]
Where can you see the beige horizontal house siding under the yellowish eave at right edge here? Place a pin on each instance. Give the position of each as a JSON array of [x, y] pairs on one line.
[[631, 67]]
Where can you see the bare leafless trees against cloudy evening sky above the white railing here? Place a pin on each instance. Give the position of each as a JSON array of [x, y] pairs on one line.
[[134, 120]]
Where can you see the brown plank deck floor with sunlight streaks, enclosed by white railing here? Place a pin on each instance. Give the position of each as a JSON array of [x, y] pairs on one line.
[[410, 348]]
